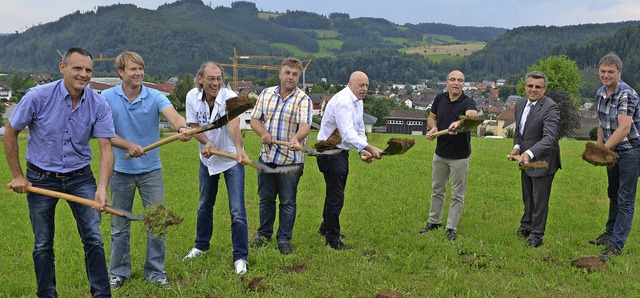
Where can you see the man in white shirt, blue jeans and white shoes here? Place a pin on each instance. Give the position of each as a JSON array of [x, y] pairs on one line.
[[205, 104]]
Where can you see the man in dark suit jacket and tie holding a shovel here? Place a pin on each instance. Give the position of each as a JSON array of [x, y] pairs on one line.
[[536, 139]]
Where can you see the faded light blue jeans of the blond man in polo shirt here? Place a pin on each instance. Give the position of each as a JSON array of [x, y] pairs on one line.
[[123, 188]]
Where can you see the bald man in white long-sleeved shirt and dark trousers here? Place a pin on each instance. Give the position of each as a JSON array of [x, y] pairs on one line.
[[344, 112]]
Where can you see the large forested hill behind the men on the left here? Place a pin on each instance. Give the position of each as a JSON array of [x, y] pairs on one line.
[[176, 37]]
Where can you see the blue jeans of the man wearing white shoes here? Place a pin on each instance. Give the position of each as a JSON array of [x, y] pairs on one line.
[[234, 178]]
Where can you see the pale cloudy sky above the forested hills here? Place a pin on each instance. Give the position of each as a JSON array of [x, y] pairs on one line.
[[19, 15]]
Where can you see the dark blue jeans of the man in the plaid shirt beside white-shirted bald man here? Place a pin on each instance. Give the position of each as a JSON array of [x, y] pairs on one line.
[[285, 186]]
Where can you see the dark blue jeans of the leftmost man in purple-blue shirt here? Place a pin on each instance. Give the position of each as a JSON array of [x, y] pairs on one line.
[[42, 213]]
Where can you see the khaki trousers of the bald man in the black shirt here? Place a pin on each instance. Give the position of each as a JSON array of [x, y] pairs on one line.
[[456, 171]]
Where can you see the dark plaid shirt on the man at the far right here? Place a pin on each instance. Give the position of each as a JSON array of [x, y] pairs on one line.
[[622, 101]]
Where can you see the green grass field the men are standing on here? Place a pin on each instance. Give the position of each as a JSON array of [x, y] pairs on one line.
[[386, 204]]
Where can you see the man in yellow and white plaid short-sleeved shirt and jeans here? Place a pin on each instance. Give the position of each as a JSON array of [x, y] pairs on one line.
[[281, 113]]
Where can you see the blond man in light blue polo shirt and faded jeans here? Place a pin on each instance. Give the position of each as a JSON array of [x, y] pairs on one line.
[[136, 110]]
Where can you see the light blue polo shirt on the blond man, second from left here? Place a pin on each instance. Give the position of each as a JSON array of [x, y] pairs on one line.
[[137, 122]]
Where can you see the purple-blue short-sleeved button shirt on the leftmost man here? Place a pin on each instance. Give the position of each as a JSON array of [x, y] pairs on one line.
[[58, 135]]
